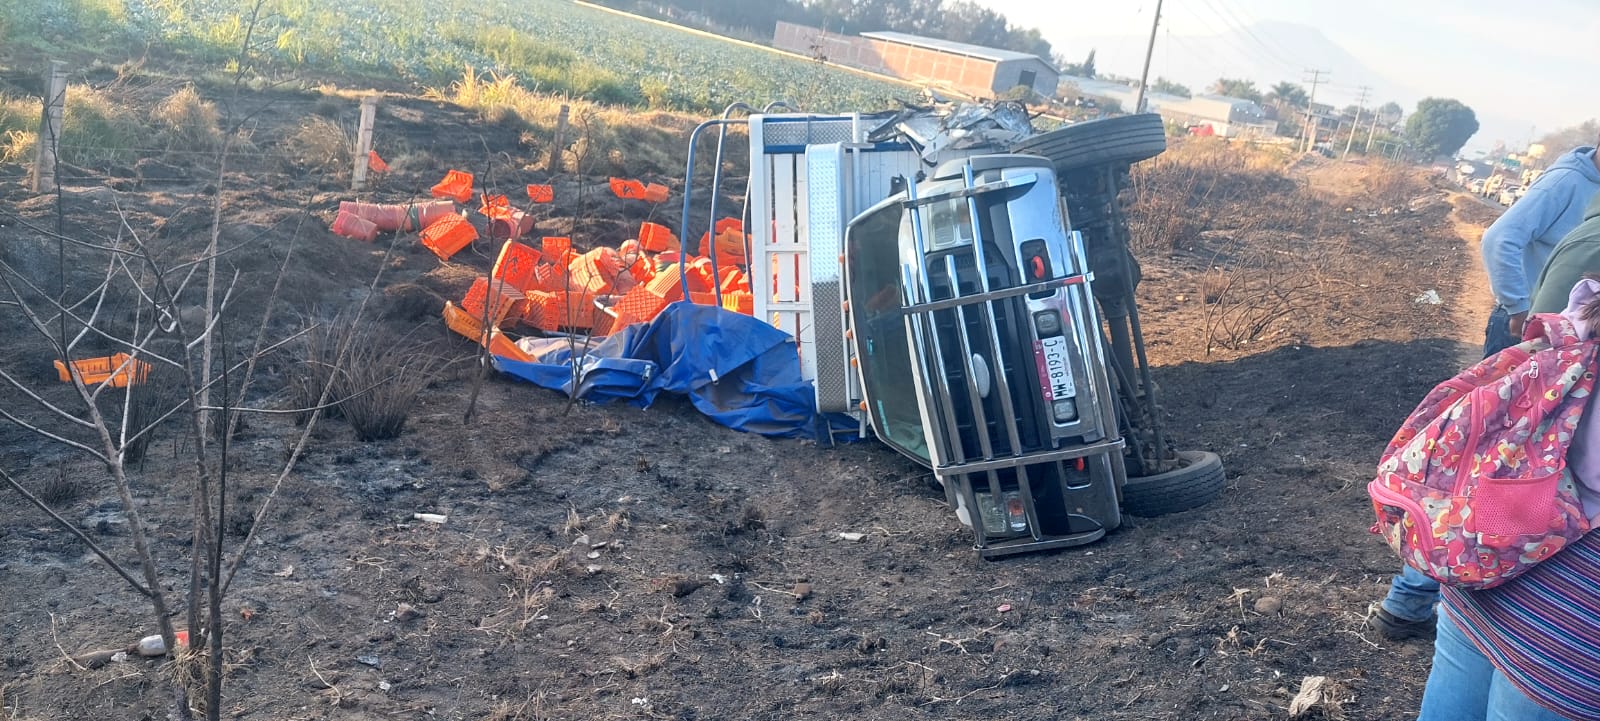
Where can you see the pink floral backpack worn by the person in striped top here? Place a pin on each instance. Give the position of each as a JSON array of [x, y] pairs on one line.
[[1474, 488]]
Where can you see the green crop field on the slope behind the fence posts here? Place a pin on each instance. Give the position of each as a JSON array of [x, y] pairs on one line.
[[550, 46]]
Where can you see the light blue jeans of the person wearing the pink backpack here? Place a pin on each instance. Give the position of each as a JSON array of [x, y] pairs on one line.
[[1465, 687]]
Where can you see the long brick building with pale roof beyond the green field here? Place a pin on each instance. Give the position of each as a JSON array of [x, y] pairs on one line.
[[970, 70]]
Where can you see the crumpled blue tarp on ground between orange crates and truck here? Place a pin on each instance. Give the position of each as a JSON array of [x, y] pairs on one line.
[[740, 372]]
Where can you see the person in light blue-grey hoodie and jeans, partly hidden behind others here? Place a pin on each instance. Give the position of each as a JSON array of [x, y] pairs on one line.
[[1514, 252]]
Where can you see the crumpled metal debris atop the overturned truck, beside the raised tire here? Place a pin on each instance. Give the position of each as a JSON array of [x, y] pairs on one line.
[[967, 127]]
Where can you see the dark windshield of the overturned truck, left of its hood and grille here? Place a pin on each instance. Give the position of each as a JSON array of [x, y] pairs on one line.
[[873, 255]]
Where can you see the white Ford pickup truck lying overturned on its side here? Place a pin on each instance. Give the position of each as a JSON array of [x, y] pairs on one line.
[[975, 311]]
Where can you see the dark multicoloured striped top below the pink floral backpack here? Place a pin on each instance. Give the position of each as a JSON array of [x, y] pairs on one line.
[[1543, 629]]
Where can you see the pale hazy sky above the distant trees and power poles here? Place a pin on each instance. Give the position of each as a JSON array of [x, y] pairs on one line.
[[1524, 66]]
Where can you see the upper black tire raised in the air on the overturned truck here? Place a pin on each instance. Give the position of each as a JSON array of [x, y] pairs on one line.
[[1106, 141]]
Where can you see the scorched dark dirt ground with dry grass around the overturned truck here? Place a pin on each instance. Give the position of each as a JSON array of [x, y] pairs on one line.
[[618, 564]]
